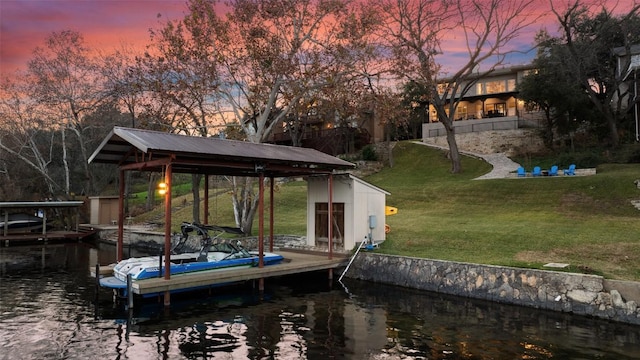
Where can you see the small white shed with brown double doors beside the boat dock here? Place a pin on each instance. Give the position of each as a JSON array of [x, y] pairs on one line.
[[358, 211]]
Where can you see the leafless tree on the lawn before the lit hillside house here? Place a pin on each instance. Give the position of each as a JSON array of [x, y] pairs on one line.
[[415, 31]]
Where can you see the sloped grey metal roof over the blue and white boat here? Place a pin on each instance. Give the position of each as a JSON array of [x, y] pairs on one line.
[[146, 150]]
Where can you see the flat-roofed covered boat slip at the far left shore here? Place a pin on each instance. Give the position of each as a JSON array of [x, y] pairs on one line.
[[27, 221]]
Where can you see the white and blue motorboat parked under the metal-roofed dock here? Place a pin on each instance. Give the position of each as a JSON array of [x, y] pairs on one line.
[[214, 255]]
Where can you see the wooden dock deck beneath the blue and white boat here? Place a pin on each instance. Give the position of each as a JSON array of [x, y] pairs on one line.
[[294, 262]]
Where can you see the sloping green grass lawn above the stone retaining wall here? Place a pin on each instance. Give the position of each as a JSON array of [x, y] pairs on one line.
[[587, 221]]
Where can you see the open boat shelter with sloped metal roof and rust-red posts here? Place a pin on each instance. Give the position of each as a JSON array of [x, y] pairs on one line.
[[145, 150]]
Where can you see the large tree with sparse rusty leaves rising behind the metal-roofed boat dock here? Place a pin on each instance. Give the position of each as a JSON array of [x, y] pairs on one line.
[[251, 67]]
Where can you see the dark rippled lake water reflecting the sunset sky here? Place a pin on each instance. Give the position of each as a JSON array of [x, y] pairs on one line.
[[48, 311]]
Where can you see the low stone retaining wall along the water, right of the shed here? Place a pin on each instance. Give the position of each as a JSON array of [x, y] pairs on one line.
[[559, 291]]
